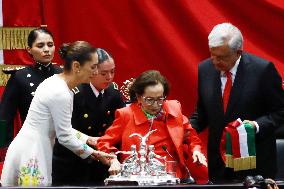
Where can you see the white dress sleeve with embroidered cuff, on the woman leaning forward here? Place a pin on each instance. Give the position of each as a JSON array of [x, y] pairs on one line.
[[61, 111]]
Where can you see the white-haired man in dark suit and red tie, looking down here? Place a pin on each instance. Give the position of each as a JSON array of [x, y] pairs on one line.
[[255, 95]]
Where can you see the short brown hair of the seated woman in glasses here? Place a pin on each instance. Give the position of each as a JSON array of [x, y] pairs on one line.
[[145, 79]]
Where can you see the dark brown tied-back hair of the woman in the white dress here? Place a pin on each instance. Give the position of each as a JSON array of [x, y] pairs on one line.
[[80, 51]]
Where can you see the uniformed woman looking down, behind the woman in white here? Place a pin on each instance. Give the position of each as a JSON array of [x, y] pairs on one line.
[[93, 112]]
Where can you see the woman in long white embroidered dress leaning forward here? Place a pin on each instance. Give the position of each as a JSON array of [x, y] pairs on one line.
[[28, 160]]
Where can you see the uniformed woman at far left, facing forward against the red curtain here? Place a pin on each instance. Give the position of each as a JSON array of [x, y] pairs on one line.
[[22, 84]]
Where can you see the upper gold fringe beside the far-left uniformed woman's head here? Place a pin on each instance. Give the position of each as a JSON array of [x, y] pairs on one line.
[[14, 37]]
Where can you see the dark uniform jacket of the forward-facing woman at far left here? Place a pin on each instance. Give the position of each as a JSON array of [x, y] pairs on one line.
[[19, 93]]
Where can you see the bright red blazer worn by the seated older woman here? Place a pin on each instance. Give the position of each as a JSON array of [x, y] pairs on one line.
[[132, 116]]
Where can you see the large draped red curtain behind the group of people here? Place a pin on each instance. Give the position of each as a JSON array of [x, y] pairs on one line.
[[170, 36]]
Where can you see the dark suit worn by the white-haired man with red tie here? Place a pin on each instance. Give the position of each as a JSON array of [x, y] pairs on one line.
[[256, 95]]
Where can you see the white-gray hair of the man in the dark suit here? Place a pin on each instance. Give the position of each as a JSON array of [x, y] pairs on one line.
[[226, 33]]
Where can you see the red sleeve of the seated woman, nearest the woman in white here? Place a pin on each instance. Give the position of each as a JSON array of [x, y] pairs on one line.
[[112, 135]]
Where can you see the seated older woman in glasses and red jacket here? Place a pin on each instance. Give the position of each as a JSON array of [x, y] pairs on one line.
[[148, 111]]
